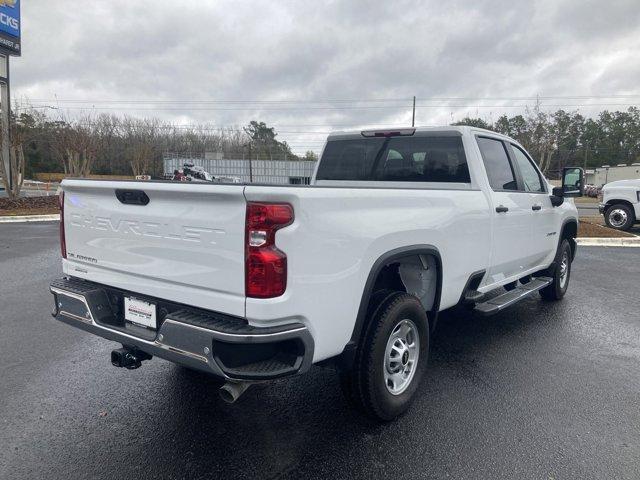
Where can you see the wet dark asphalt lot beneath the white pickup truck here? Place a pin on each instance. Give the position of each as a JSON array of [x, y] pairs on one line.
[[545, 390]]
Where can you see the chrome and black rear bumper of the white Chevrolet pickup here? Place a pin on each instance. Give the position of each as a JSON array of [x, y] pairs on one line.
[[222, 345]]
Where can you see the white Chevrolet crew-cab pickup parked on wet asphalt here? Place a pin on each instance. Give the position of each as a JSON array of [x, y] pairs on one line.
[[257, 282]]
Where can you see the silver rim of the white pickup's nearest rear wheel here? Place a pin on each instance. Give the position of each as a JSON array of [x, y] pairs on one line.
[[401, 357]]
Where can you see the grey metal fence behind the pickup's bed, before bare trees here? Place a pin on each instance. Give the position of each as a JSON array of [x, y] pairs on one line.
[[291, 172]]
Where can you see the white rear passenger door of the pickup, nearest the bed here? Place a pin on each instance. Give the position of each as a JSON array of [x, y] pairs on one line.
[[511, 251]]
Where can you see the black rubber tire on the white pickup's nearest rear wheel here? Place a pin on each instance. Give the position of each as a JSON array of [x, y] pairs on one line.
[[365, 385]]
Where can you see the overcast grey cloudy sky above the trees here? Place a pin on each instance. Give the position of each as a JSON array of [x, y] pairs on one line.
[[185, 58]]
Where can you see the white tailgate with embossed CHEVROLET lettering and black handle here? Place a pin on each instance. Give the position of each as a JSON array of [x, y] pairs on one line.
[[186, 244]]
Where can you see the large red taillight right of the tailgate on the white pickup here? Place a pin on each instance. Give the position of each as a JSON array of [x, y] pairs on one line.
[[265, 265]]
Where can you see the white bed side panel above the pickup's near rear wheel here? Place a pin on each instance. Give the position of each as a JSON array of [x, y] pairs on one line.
[[339, 233]]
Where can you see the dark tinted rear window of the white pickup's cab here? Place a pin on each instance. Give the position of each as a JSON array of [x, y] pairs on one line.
[[395, 159]]
